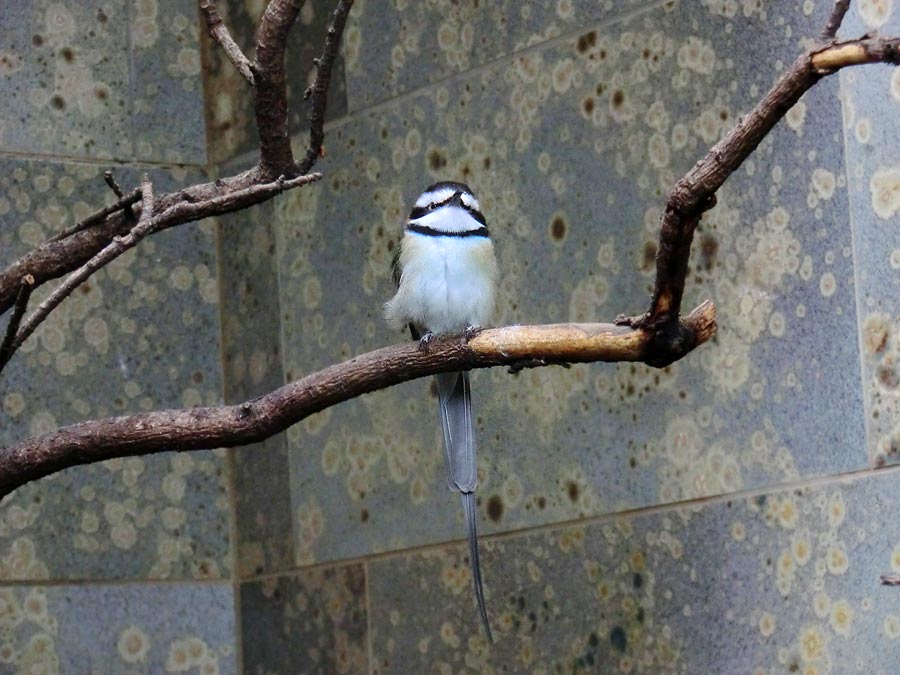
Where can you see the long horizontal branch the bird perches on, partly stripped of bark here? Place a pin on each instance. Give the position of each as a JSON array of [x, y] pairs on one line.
[[257, 419]]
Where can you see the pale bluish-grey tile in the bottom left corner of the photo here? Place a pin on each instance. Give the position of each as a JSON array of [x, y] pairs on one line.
[[127, 629]]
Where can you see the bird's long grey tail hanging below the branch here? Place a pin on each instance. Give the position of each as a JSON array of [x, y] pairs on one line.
[[458, 426]]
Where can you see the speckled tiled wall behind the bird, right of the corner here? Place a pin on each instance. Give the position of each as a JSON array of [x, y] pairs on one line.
[[720, 516]]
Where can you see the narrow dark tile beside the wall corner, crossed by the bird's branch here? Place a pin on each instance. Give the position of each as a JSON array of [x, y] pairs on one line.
[[252, 366]]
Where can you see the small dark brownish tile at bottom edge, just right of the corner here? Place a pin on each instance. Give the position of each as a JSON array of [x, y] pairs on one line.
[[314, 622]]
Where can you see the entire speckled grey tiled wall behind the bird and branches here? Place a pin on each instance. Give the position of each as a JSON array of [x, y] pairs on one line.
[[722, 515]]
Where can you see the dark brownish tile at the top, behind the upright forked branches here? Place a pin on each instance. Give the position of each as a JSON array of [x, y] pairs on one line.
[[230, 119]]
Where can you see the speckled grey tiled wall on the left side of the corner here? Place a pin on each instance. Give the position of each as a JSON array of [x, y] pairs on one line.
[[121, 567]]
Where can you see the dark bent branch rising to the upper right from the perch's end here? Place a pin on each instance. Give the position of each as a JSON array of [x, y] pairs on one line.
[[695, 192]]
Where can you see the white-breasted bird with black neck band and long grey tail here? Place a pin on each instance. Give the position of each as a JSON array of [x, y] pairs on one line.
[[445, 275]]
